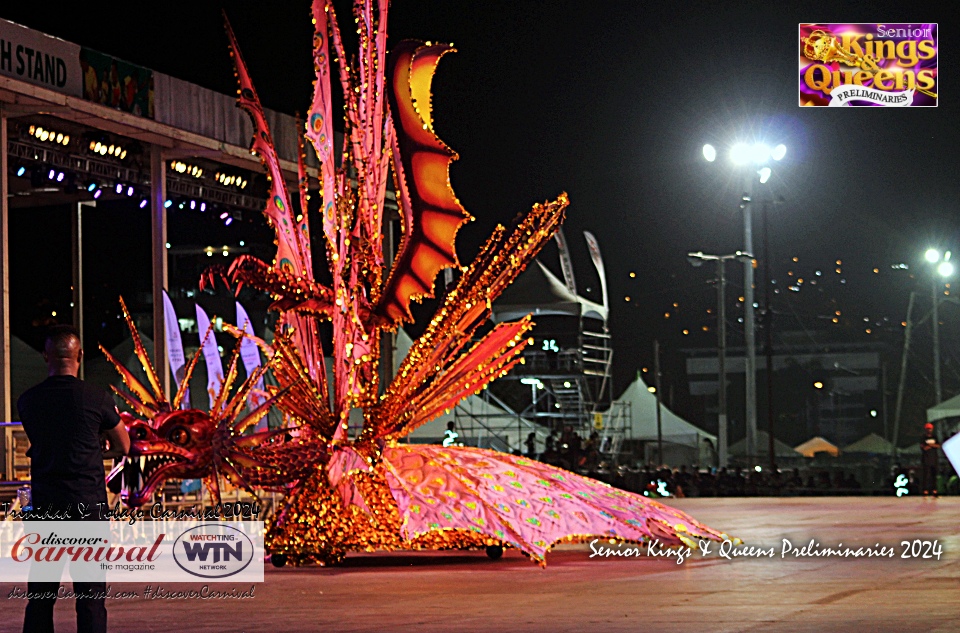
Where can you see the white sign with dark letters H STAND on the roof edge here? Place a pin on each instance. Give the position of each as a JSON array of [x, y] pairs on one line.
[[39, 59]]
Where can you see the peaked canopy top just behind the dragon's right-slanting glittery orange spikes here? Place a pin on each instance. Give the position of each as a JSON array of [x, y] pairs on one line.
[[538, 291]]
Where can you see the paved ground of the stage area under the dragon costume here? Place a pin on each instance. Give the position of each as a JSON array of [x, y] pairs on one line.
[[444, 592]]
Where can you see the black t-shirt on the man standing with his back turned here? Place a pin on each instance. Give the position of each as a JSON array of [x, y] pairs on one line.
[[63, 418]]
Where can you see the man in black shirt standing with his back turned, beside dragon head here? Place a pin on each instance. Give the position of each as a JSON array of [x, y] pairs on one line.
[[63, 418]]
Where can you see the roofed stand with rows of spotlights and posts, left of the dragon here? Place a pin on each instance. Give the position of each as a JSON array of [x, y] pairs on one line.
[[159, 144]]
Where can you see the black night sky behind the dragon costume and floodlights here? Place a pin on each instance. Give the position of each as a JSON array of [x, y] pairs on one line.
[[611, 102]]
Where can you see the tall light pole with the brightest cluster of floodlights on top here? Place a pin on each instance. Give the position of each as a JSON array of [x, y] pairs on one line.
[[758, 155]]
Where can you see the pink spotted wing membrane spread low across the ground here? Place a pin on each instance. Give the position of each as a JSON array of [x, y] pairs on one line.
[[522, 502]]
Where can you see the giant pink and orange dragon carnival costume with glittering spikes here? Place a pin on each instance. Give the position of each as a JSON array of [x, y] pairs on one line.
[[348, 490]]
